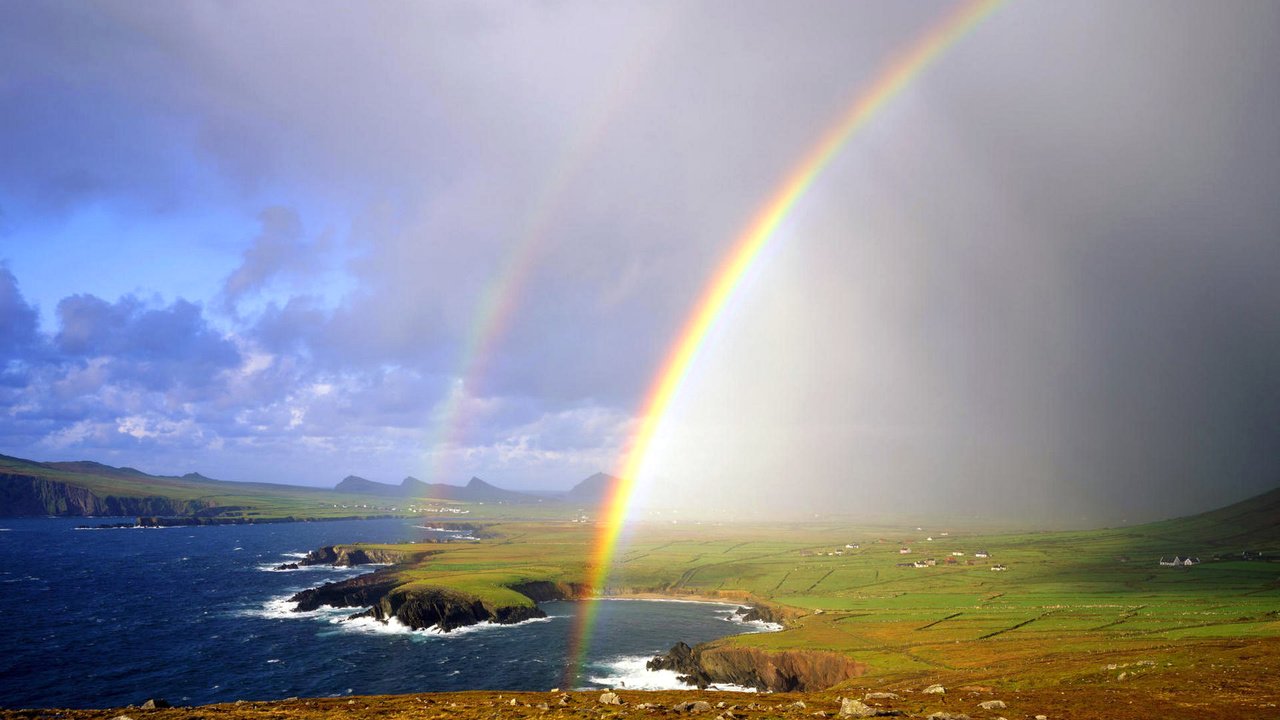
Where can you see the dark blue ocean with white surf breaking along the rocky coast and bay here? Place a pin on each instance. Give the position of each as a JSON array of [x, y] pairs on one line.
[[198, 616]]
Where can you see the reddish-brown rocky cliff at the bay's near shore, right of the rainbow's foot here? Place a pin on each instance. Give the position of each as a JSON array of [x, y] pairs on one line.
[[788, 671]]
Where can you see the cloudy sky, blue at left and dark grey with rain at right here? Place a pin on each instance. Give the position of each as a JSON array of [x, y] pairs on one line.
[[294, 241]]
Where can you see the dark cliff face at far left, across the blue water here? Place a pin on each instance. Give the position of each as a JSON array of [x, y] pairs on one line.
[[26, 495]]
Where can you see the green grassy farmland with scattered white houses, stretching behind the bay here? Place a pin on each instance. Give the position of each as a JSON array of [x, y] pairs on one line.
[[1068, 607]]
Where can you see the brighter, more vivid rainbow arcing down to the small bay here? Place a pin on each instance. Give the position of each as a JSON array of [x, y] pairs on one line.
[[747, 249]]
